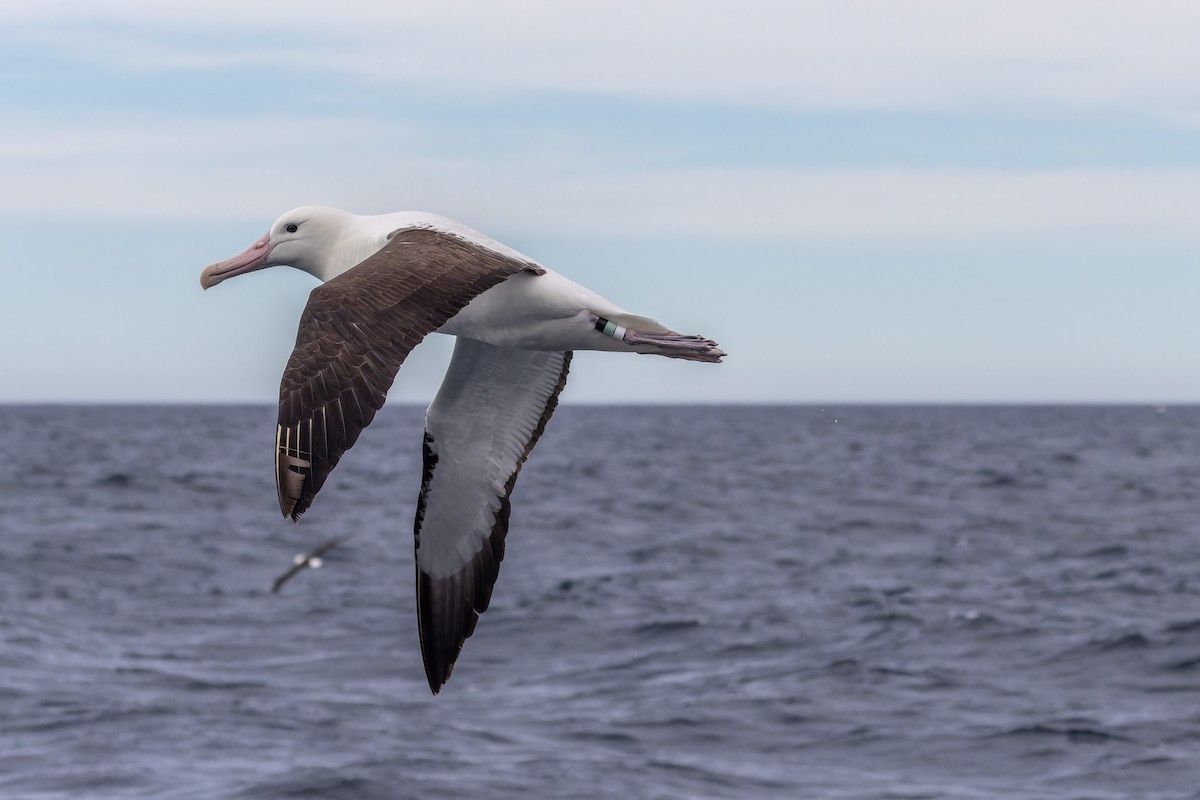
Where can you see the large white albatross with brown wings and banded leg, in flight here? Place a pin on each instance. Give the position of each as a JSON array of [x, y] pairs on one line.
[[387, 282]]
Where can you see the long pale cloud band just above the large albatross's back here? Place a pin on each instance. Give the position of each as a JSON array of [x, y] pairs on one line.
[[219, 170]]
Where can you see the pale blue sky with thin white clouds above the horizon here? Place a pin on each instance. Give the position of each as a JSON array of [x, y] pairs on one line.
[[920, 201]]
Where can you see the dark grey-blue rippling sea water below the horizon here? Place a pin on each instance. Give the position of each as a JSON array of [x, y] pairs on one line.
[[697, 603]]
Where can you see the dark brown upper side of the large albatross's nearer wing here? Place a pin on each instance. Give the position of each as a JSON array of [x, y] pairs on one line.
[[355, 334]]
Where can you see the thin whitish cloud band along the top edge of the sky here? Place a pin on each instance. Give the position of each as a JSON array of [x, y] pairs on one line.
[[850, 53]]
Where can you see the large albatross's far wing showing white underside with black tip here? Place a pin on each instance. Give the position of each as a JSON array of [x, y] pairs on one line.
[[491, 410]]
